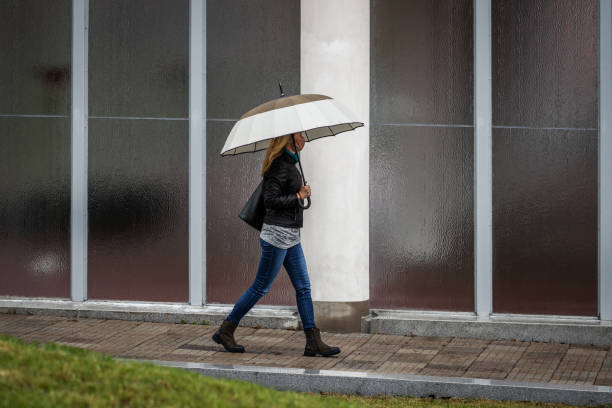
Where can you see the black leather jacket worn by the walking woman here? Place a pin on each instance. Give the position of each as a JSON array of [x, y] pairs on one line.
[[281, 183]]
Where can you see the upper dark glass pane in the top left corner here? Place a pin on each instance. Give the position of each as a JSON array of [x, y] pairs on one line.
[[35, 41]]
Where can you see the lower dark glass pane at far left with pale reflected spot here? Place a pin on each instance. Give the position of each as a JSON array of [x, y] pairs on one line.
[[35, 207]]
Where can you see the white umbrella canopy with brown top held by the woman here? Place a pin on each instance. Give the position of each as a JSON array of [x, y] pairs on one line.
[[314, 115]]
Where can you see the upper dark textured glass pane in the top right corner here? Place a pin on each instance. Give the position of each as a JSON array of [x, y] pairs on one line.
[[545, 63]]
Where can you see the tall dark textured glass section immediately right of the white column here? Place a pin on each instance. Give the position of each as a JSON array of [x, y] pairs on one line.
[[421, 178]]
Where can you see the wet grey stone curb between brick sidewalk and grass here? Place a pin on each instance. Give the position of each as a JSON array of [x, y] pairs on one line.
[[359, 383]]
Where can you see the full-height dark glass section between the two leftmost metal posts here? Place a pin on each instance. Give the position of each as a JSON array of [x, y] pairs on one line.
[[138, 176]]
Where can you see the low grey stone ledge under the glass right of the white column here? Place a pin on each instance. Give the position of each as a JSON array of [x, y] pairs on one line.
[[557, 330]]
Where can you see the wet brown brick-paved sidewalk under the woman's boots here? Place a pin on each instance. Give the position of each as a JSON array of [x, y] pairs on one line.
[[436, 356]]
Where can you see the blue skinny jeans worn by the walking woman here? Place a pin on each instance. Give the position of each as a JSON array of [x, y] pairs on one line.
[[271, 260]]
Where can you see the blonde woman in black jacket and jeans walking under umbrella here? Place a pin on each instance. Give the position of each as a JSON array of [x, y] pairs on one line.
[[280, 245]]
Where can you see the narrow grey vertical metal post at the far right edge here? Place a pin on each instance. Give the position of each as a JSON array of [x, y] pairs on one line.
[[605, 160]]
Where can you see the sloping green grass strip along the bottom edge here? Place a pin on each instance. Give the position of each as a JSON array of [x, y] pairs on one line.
[[53, 375]]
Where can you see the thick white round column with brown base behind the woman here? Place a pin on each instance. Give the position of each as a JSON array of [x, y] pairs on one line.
[[335, 61]]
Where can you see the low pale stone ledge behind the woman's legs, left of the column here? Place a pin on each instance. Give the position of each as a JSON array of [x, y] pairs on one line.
[[268, 317]]
